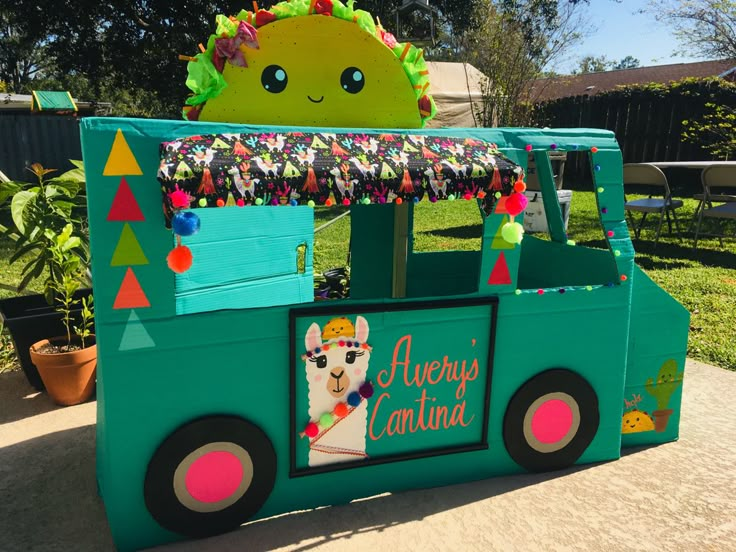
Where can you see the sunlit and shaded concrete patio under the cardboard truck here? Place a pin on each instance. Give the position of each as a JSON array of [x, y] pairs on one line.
[[678, 496]]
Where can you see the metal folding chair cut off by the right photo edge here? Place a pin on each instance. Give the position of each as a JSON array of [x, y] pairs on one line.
[[717, 180]]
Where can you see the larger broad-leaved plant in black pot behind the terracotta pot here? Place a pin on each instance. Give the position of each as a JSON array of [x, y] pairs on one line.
[[37, 206]]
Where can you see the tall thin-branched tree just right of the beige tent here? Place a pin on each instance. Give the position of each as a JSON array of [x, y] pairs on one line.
[[512, 42]]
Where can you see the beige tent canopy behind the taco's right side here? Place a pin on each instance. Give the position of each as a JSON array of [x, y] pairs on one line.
[[457, 91]]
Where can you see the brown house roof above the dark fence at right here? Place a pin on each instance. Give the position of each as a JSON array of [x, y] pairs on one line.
[[593, 83]]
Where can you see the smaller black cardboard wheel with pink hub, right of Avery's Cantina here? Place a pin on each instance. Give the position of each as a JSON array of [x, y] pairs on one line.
[[551, 420]]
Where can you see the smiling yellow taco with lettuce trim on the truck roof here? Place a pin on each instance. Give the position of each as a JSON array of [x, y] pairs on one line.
[[314, 63]]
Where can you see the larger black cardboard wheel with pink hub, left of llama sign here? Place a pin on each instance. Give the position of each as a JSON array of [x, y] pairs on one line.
[[209, 476]]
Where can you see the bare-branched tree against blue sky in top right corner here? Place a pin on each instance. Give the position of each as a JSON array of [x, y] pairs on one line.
[[705, 28]]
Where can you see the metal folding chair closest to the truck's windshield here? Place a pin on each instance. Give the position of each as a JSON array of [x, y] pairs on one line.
[[652, 177]]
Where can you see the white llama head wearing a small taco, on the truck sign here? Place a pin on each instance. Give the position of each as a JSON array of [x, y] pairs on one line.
[[336, 359]]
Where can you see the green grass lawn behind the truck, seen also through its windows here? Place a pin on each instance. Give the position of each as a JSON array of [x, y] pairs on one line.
[[703, 281]]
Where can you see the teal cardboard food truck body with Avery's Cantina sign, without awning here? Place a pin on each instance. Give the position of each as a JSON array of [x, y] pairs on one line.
[[226, 394]]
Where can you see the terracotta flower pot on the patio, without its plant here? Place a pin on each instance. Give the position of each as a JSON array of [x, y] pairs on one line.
[[69, 377]]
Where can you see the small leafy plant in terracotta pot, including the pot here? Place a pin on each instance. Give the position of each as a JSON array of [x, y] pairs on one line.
[[67, 363]]
